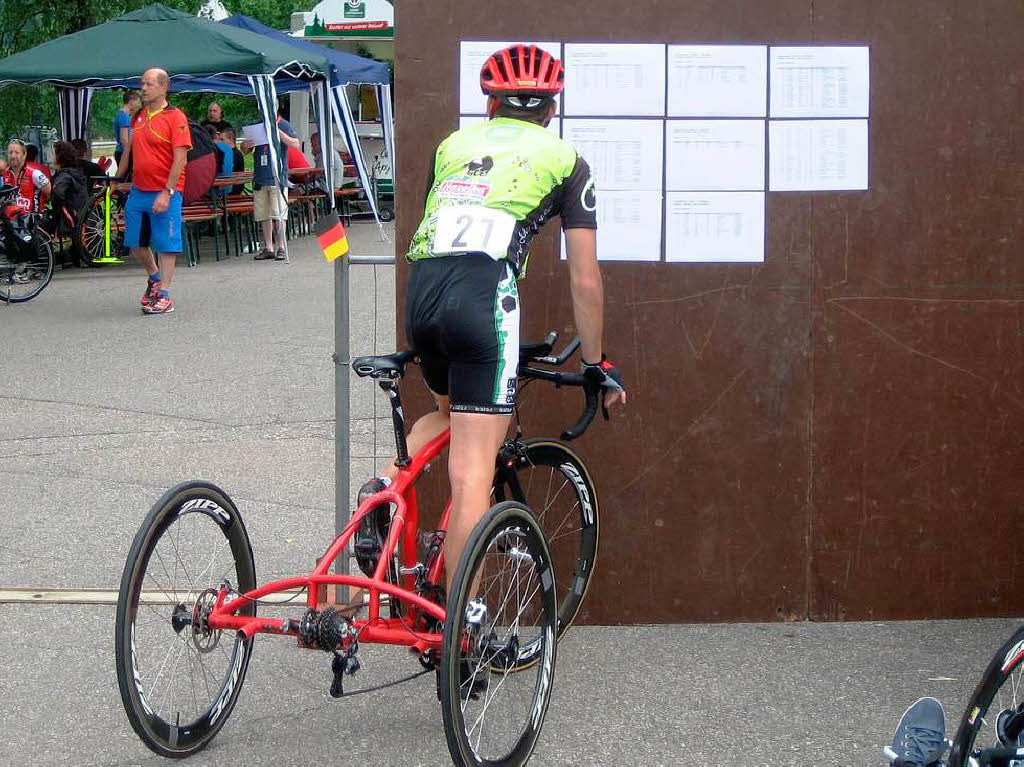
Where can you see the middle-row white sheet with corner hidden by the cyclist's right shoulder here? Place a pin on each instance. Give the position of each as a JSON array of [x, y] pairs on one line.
[[622, 154]]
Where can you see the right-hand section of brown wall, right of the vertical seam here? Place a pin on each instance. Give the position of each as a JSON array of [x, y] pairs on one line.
[[917, 327]]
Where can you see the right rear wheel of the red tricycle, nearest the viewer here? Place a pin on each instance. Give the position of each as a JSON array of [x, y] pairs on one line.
[[502, 601]]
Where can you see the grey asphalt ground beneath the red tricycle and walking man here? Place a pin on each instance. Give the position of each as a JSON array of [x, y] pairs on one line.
[[102, 410]]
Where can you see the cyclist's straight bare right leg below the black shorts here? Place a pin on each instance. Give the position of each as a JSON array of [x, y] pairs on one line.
[[476, 440]]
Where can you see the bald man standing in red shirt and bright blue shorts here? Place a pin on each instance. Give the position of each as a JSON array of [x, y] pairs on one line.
[[159, 151]]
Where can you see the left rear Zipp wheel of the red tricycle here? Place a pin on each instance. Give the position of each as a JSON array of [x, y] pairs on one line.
[[179, 679]]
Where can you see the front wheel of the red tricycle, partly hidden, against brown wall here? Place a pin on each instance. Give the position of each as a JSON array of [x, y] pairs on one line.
[[554, 484]]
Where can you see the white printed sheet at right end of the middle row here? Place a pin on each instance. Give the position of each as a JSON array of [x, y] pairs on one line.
[[818, 155]]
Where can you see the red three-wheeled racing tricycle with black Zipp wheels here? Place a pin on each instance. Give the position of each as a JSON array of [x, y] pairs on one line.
[[187, 610]]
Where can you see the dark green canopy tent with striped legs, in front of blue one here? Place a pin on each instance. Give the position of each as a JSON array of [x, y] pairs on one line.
[[190, 49]]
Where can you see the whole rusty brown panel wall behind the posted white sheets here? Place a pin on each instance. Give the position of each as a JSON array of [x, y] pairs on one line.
[[799, 443]]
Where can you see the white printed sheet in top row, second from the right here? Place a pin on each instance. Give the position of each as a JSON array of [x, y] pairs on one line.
[[718, 80]]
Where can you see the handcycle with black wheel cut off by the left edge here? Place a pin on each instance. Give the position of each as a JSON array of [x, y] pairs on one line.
[[26, 251]]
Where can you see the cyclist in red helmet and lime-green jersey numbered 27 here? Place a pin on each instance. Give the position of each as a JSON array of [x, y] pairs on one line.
[[491, 189]]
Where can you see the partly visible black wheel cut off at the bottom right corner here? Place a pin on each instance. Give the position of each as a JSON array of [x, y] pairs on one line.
[[995, 717]]
